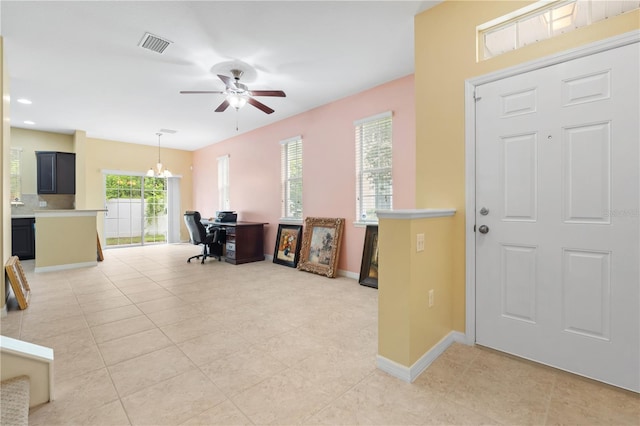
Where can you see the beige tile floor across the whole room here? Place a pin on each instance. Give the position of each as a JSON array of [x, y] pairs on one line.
[[145, 338]]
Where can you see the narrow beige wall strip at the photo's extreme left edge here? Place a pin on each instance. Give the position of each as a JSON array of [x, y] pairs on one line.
[[5, 188]]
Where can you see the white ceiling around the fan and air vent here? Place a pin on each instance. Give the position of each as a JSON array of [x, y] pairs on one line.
[[80, 64]]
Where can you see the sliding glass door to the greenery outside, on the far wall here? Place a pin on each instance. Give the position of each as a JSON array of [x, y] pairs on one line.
[[136, 210]]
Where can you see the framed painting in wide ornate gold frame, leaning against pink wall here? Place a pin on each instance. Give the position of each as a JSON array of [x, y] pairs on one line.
[[321, 245]]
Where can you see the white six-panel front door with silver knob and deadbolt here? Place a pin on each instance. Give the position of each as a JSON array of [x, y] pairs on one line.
[[557, 188]]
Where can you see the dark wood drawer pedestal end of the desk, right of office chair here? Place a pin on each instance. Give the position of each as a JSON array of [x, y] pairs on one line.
[[245, 242]]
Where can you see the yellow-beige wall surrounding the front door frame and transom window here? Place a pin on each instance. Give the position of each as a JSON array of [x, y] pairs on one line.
[[445, 56]]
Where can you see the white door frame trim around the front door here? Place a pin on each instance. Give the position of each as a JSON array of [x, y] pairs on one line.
[[470, 151]]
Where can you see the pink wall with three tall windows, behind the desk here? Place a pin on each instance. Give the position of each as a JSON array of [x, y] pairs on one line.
[[328, 165]]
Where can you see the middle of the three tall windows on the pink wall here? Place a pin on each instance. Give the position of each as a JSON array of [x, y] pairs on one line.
[[291, 177]]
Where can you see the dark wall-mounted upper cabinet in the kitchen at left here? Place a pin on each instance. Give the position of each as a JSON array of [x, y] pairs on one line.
[[56, 172]]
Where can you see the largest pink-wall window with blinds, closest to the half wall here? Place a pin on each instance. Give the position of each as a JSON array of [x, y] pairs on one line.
[[374, 188]]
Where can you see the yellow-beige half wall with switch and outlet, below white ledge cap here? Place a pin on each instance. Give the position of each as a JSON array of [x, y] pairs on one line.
[[407, 326]]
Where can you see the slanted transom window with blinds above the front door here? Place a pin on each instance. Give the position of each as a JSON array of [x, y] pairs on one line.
[[544, 20]]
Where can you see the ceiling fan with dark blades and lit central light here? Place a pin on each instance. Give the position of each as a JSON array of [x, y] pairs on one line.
[[238, 94]]
